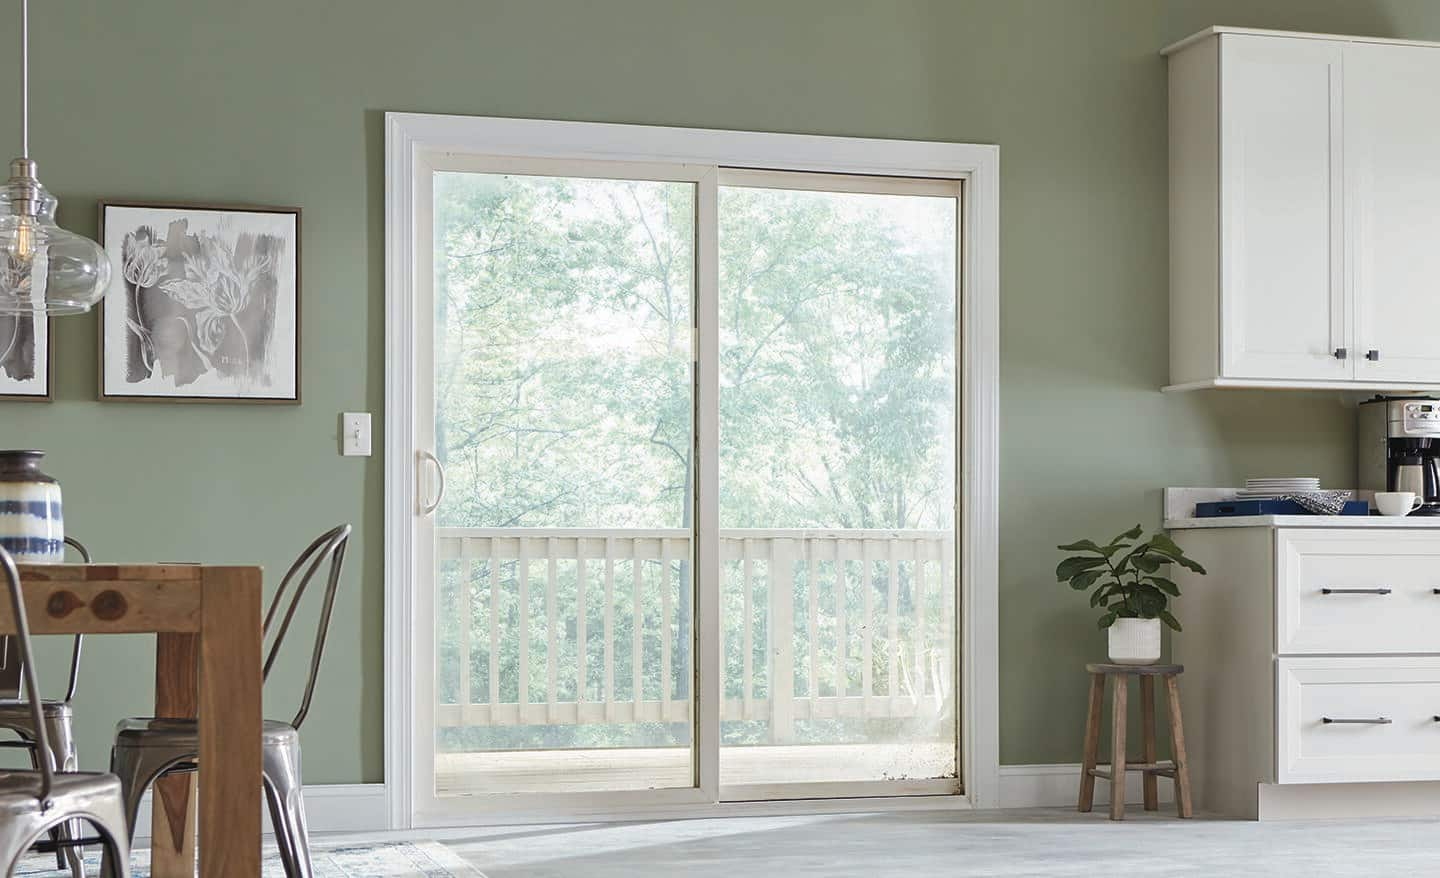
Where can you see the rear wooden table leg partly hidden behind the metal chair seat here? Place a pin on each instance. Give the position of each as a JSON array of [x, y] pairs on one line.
[[172, 843]]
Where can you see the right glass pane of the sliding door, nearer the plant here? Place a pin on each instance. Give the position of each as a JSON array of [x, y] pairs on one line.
[[837, 486]]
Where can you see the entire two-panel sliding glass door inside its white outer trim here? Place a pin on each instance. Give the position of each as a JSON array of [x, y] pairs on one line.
[[580, 322]]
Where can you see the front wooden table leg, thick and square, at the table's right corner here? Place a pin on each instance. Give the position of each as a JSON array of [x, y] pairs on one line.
[[231, 722]]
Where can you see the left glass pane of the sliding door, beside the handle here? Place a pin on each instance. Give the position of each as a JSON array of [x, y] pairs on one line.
[[564, 420]]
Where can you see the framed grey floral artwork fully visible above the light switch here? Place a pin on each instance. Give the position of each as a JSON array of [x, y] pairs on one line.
[[204, 306]]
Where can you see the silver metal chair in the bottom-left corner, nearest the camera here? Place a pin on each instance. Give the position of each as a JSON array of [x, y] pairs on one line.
[[32, 804]]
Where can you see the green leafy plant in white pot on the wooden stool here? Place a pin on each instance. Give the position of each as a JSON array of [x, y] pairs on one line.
[[1127, 585]]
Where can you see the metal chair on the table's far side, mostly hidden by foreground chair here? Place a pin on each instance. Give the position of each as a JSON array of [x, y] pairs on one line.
[[60, 725]]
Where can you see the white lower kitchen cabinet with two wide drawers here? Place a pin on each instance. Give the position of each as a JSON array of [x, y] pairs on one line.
[[1313, 670]]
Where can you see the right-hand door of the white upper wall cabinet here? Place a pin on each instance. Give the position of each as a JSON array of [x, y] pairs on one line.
[[1393, 194]]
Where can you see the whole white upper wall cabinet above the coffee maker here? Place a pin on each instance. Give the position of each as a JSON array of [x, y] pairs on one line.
[[1305, 212]]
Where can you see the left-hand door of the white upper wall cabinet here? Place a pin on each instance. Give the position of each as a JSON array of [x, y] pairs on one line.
[[1284, 300]]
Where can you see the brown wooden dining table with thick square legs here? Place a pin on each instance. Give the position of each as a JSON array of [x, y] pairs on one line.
[[207, 621]]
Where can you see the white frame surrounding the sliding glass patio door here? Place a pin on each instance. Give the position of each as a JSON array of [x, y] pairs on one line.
[[413, 137]]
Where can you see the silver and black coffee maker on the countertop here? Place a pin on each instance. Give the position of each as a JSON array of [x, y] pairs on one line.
[[1400, 448]]
